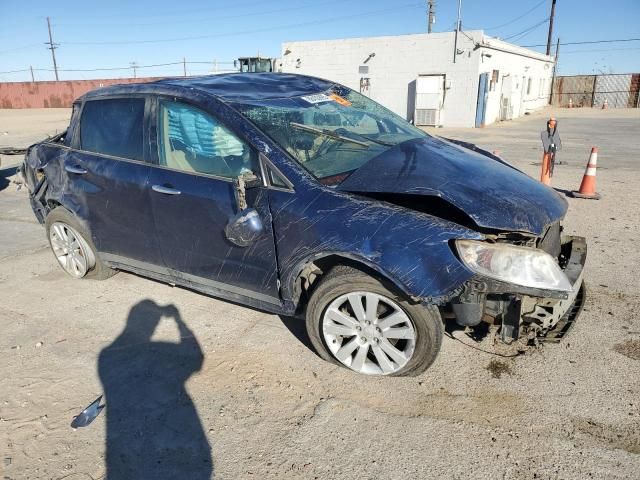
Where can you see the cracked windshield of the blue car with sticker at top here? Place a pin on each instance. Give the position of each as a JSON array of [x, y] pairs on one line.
[[331, 134]]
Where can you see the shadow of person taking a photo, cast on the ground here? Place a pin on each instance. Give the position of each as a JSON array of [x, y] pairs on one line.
[[153, 428]]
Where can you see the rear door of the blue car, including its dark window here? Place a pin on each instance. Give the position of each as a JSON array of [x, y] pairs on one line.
[[107, 176]]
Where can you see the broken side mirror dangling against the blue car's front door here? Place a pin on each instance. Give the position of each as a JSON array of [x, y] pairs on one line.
[[246, 226]]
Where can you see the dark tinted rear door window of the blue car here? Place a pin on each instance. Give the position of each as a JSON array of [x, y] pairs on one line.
[[113, 127]]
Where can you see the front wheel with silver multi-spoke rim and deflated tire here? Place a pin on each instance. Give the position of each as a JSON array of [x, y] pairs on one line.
[[360, 340]]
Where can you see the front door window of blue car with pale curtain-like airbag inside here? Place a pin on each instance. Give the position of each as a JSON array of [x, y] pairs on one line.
[[192, 140]]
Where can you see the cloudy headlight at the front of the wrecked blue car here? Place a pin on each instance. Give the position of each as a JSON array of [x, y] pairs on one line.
[[523, 266]]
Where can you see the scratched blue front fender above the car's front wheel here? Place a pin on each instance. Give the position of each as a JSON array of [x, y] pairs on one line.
[[411, 249]]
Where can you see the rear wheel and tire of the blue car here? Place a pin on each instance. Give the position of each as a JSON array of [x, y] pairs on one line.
[[62, 227]]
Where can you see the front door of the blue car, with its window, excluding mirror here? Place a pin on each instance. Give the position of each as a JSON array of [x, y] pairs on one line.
[[193, 199]]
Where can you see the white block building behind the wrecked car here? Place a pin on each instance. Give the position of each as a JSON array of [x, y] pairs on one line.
[[416, 76]]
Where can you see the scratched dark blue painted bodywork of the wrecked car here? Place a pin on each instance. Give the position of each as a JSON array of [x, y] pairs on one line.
[[409, 248]]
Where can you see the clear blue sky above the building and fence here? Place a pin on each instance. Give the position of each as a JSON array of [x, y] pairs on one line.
[[115, 33]]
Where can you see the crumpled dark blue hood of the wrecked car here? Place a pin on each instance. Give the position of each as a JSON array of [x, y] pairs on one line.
[[494, 194]]
